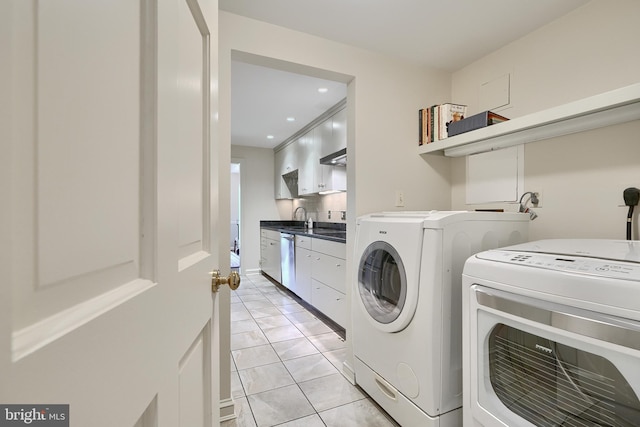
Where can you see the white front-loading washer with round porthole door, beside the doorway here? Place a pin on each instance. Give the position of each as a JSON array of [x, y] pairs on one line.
[[407, 306]]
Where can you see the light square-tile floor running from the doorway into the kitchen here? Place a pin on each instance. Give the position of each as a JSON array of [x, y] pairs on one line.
[[286, 365]]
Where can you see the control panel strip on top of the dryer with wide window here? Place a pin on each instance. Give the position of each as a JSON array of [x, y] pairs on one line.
[[567, 263]]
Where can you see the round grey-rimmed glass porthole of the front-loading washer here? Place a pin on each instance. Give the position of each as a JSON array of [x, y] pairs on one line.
[[382, 282]]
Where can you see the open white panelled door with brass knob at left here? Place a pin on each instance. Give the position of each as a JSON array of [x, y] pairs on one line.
[[105, 216]]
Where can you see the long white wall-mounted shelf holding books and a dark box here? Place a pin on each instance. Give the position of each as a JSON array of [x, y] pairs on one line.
[[609, 108]]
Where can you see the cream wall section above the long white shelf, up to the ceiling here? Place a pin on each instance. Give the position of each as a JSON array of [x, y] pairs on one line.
[[589, 51]]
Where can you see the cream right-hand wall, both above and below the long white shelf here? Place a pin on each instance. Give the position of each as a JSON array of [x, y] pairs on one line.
[[582, 177]]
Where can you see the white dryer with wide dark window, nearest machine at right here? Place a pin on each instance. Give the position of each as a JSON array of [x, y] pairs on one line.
[[551, 335]]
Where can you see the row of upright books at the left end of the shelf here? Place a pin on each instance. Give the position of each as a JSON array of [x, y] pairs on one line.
[[434, 121]]
